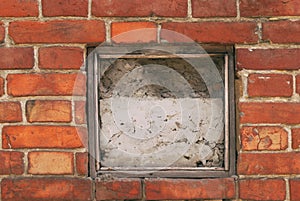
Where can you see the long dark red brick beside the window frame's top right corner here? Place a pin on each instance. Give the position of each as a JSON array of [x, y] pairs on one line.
[[268, 59]]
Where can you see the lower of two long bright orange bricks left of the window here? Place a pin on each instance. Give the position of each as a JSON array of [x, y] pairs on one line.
[[43, 137]]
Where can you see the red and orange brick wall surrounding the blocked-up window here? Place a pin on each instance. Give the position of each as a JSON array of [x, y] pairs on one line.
[[43, 44]]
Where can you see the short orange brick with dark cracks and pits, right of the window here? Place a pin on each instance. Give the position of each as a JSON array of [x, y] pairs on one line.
[[264, 138]]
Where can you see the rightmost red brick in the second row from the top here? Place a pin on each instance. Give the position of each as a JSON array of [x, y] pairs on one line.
[[282, 31]]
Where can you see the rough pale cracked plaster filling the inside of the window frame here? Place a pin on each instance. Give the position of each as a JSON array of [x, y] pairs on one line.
[[157, 116]]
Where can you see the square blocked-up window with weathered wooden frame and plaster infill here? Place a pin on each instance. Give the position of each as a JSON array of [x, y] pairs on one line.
[[164, 111]]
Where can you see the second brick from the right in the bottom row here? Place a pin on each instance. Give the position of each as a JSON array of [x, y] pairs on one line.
[[262, 189]]
